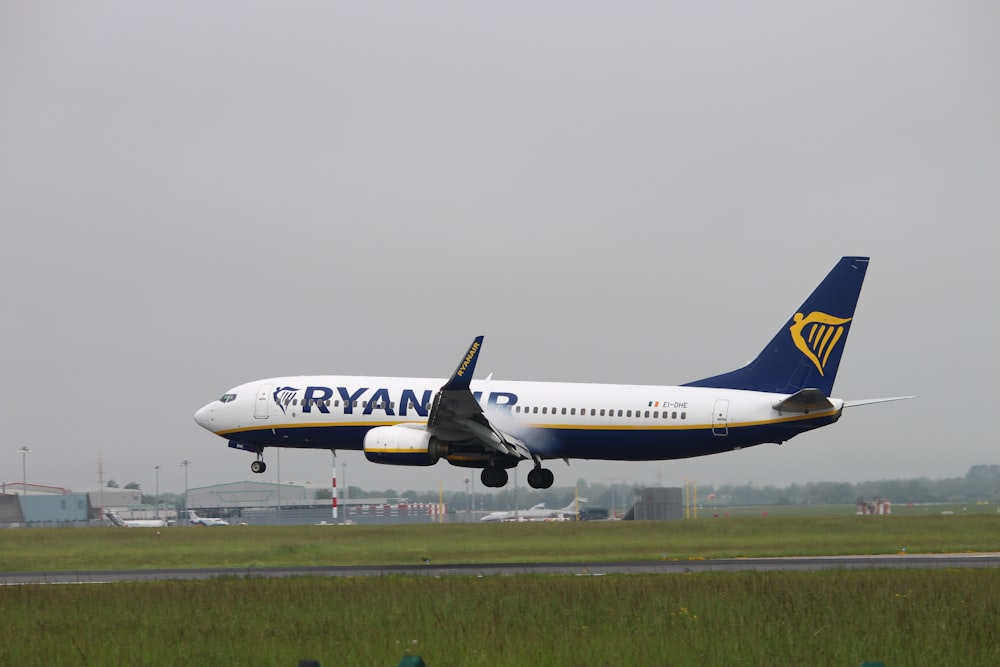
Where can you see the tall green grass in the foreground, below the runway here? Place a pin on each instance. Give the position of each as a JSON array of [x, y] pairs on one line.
[[827, 618]]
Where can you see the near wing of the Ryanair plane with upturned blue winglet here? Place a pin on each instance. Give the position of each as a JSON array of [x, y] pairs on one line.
[[456, 415]]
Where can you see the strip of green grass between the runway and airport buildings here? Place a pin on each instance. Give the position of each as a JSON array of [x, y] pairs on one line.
[[249, 546]]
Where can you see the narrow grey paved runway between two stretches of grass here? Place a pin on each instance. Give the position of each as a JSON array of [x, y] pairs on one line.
[[800, 564]]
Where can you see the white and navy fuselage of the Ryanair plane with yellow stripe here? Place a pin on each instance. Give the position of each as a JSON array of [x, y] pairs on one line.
[[556, 419]]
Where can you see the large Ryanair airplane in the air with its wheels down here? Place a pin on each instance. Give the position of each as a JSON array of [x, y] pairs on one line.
[[494, 425]]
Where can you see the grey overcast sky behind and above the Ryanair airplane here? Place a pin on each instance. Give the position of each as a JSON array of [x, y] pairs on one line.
[[198, 194]]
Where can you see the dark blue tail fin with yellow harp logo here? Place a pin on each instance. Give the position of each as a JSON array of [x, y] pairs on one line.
[[806, 351]]
